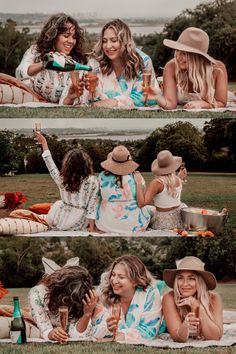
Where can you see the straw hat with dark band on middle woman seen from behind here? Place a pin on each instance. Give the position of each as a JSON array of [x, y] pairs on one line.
[[119, 162]]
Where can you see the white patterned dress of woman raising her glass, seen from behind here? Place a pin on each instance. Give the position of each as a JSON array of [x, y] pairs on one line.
[[74, 209]]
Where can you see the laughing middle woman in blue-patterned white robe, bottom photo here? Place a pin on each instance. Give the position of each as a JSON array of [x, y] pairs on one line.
[[130, 287]]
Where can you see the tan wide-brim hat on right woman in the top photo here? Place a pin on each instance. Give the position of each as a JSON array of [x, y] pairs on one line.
[[193, 40]]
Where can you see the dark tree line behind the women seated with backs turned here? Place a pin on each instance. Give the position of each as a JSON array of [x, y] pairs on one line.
[[212, 149]]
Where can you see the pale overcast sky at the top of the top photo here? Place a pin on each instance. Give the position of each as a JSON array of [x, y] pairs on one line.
[[102, 8]]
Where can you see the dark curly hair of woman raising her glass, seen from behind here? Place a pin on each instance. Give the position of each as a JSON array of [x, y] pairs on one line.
[[76, 167]]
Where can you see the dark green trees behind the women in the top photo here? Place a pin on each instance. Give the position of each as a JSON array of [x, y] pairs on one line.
[[216, 17]]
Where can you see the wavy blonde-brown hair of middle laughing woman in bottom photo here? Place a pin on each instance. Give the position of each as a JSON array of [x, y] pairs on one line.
[[136, 271]]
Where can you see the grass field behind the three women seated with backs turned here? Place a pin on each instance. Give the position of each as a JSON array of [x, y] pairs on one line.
[[201, 190]]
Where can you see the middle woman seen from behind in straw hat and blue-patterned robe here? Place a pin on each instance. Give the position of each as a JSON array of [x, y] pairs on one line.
[[118, 210]]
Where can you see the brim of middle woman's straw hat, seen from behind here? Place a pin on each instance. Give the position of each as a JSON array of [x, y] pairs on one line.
[[120, 169]]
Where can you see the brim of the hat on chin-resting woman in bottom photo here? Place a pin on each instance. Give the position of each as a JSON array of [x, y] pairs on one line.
[[209, 278]]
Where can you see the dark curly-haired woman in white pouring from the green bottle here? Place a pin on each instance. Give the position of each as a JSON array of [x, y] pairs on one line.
[[62, 34]]
